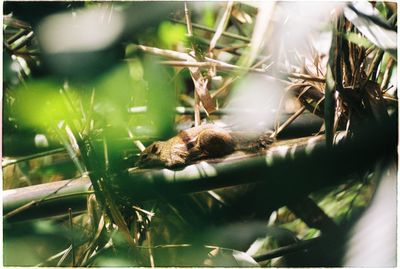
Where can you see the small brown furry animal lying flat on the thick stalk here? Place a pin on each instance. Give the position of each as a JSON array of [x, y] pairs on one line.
[[201, 142]]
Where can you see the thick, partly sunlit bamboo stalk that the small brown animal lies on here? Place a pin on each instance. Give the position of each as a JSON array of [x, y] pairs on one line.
[[289, 163]]
